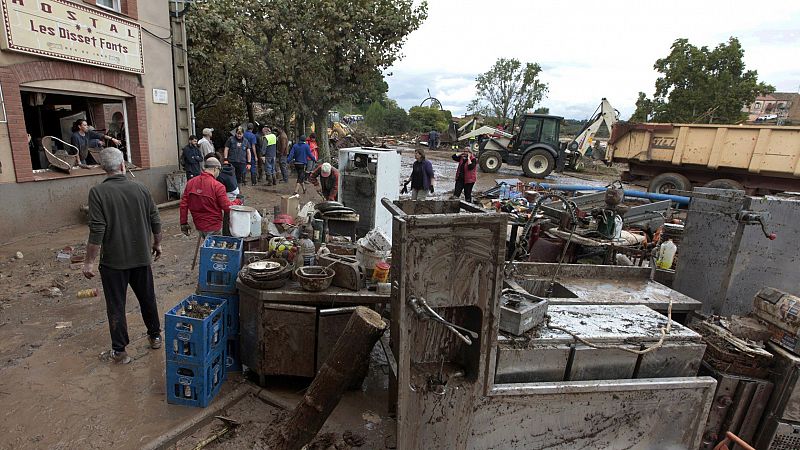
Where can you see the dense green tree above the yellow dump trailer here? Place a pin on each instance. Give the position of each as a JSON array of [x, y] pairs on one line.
[[701, 85]]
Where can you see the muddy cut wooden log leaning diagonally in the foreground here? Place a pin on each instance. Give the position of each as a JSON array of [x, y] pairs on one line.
[[352, 350]]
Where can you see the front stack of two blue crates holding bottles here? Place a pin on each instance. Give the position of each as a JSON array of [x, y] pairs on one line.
[[196, 350]]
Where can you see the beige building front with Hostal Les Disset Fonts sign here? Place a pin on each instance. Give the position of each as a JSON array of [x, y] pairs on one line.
[[106, 61]]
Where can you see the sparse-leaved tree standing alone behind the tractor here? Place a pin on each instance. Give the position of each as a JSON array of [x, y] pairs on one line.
[[508, 89]]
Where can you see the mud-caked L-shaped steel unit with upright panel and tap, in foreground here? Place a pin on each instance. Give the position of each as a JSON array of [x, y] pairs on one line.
[[446, 394]]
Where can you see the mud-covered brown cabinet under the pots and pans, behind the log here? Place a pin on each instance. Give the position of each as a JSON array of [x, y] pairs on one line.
[[290, 331]]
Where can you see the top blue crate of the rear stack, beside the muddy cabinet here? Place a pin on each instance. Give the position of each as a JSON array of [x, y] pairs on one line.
[[219, 266]]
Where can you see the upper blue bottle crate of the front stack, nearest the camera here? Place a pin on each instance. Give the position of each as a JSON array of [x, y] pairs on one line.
[[192, 341]]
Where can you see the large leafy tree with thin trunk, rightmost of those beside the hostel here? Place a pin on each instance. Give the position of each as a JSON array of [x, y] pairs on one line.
[[332, 56]]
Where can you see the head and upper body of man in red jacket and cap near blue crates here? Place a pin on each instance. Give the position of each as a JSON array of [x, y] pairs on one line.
[[206, 199]]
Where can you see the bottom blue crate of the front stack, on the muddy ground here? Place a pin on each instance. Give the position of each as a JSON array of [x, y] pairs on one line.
[[196, 384]]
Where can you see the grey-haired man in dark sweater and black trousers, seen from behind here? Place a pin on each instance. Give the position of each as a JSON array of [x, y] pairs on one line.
[[122, 216]]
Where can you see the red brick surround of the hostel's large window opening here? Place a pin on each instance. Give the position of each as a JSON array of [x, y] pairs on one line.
[[12, 76]]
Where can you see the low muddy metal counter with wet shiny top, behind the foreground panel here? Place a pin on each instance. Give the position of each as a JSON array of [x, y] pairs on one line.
[[545, 354]]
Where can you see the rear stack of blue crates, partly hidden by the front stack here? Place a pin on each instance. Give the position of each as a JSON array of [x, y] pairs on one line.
[[220, 262]]
